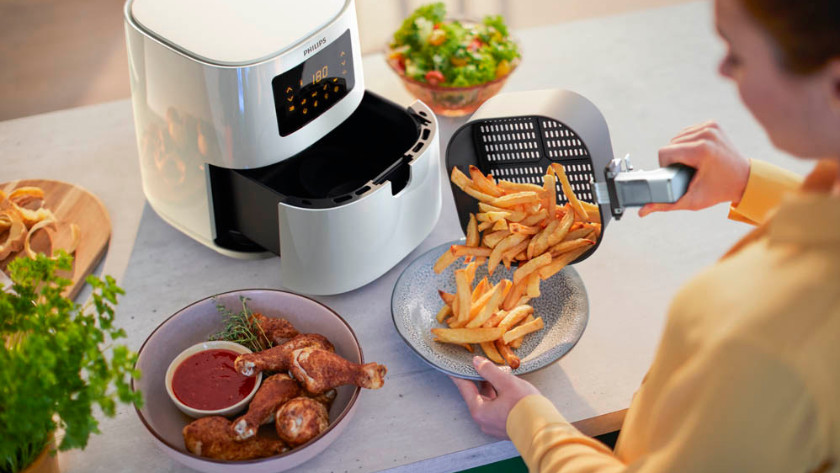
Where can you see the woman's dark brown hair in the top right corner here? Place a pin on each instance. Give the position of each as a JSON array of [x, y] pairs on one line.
[[806, 32]]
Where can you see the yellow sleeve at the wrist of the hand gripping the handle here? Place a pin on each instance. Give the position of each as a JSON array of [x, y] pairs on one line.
[[766, 186]]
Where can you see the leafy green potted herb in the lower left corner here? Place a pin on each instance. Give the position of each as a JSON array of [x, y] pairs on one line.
[[57, 361]]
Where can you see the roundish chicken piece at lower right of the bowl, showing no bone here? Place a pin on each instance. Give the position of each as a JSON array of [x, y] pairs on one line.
[[300, 420]]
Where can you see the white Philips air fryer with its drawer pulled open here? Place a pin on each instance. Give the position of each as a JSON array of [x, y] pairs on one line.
[[256, 134]]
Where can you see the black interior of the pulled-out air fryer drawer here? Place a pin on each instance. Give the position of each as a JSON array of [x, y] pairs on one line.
[[374, 145]]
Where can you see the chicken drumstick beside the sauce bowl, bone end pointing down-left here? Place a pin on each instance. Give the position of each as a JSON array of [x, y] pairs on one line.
[[275, 391]]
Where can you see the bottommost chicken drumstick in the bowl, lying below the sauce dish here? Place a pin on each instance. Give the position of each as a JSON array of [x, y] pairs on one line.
[[210, 437]]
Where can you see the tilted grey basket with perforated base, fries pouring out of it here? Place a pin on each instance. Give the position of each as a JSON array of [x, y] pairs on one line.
[[517, 136]]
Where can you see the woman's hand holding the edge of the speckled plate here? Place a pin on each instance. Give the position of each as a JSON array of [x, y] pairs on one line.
[[491, 403]]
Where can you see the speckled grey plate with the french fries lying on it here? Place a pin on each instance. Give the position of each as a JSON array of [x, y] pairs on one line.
[[530, 335]]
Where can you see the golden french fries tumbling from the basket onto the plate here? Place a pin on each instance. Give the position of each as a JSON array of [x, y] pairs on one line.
[[517, 224]]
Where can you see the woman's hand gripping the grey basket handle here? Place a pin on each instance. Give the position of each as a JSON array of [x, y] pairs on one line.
[[721, 175]]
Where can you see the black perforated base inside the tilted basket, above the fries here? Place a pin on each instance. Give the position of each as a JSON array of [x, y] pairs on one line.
[[520, 149]]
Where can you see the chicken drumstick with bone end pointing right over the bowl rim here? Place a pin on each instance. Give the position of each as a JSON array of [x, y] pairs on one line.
[[321, 370]]
